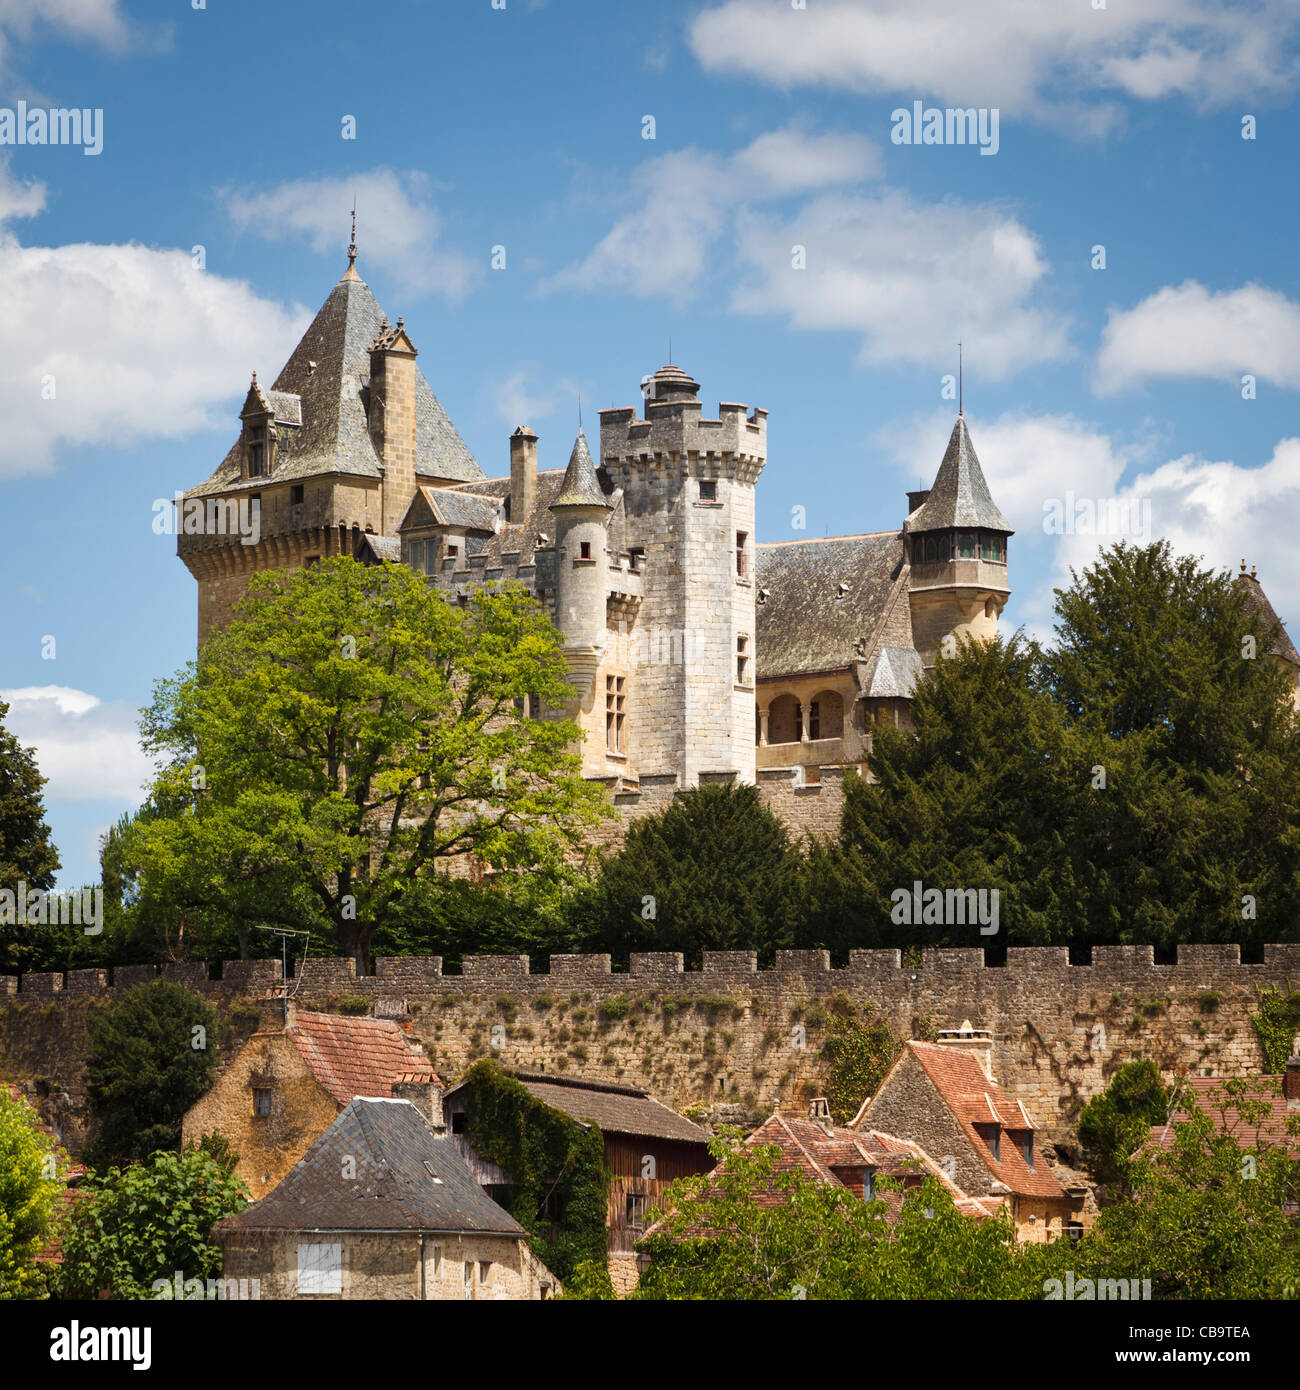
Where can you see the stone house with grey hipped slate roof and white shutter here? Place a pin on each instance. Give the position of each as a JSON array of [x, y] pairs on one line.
[[382, 1209]]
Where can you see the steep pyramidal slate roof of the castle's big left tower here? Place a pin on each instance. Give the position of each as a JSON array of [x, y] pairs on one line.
[[334, 436]]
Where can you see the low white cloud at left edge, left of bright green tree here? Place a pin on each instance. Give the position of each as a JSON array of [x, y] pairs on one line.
[[88, 750]]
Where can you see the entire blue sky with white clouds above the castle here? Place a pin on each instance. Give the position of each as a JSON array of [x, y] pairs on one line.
[[523, 127]]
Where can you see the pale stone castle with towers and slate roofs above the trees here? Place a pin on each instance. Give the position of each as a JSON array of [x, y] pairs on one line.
[[697, 653]]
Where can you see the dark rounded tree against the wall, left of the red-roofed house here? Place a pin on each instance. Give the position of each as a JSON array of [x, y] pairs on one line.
[[149, 1058]]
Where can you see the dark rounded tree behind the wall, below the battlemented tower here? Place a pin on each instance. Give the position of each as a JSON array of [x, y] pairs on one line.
[[714, 871]]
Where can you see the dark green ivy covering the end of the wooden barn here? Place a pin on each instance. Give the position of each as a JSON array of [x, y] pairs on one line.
[[546, 1154]]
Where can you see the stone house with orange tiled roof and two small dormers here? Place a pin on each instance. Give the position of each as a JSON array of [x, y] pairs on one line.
[[943, 1097]]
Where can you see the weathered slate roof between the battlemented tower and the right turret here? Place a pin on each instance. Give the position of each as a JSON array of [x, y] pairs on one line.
[[804, 625]]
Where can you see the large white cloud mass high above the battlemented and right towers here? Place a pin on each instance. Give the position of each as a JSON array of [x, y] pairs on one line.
[[909, 277]]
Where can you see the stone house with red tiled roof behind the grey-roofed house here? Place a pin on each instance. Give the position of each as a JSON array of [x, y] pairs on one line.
[[290, 1081]]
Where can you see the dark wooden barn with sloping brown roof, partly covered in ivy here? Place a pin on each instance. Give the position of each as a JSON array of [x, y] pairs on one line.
[[647, 1146]]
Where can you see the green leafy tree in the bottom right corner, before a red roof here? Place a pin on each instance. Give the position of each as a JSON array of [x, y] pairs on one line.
[[1208, 1218]]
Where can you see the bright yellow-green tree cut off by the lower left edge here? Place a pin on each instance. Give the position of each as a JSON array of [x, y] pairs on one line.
[[30, 1182]]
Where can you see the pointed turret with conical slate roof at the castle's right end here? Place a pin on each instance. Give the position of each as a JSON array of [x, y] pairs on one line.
[[956, 541]]
